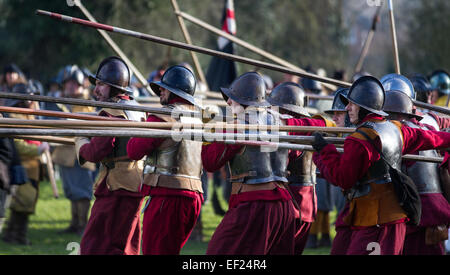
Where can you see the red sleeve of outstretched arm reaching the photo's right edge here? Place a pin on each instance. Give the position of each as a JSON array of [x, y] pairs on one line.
[[415, 139]]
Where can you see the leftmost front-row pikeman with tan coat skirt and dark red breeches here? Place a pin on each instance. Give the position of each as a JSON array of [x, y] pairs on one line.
[[114, 224]]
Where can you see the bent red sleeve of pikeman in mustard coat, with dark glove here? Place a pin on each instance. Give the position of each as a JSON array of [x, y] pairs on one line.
[[345, 169]]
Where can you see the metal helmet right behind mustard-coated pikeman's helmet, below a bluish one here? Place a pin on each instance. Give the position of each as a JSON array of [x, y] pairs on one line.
[[398, 102]]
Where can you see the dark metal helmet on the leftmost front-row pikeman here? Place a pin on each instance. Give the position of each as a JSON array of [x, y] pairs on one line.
[[114, 72]]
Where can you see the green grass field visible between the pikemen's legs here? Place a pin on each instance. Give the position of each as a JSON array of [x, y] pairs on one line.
[[53, 215]]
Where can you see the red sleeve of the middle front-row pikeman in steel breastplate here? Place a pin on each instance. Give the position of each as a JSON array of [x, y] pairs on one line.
[[215, 155]]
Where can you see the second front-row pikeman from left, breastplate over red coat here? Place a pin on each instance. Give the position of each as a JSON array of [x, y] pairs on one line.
[[174, 182]]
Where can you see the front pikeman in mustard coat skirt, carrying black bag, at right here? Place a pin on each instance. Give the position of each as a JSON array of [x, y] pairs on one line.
[[374, 214]]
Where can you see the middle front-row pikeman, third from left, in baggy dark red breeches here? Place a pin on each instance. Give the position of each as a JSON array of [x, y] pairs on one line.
[[258, 197]]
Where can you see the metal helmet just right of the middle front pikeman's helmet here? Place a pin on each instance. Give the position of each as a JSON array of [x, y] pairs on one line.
[[289, 96]]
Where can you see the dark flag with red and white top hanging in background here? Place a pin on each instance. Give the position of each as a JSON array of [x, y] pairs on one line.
[[221, 72]]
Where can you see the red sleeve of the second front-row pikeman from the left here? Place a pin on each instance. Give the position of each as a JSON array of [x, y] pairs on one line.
[[137, 147]]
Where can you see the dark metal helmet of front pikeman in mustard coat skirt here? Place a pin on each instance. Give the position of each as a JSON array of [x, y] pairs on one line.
[[368, 93]]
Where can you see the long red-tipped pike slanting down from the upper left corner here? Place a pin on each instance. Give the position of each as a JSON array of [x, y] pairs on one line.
[[207, 51]]
